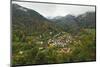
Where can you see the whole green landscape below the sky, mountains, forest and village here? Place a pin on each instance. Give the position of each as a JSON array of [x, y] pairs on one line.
[[38, 40]]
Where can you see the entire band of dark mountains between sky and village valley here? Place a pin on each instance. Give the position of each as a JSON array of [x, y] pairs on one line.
[[35, 21]]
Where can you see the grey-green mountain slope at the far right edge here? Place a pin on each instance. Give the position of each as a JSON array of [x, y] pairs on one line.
[[87, 20]]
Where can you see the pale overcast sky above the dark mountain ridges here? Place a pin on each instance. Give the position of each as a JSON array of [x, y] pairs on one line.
[[53, 10]]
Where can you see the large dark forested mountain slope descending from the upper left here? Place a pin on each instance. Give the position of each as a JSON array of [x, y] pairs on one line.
[[30, 20]]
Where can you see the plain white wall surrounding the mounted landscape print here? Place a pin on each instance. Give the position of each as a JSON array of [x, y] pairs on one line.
[[5, 33]]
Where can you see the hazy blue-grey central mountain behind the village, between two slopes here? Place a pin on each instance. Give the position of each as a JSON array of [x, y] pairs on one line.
[[68, 23]]
